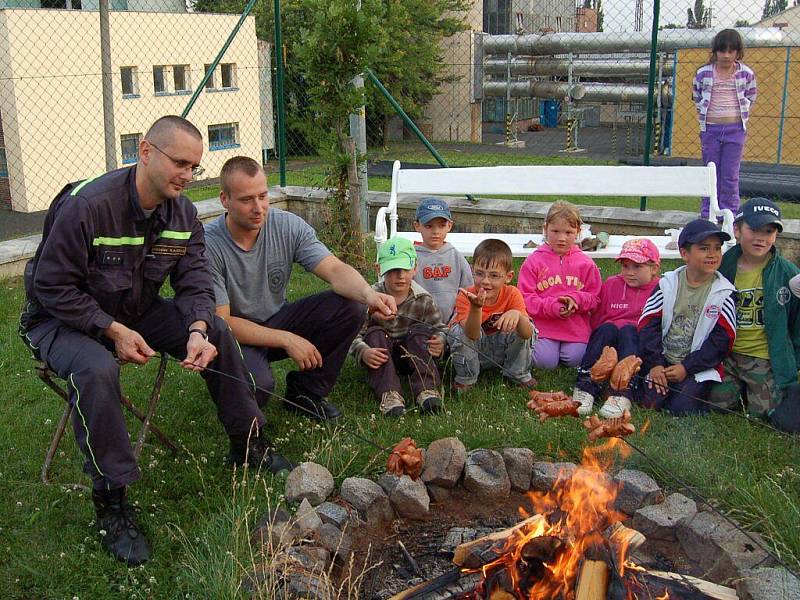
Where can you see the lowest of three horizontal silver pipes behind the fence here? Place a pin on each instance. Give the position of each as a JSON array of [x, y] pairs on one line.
[[585, 91]]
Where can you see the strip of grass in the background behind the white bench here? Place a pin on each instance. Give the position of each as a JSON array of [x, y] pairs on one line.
[[314, 176]]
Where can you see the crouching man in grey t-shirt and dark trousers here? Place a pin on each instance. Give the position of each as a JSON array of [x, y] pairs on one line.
[[251, 250]]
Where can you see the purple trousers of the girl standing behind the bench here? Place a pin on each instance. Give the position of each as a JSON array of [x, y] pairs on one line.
[[723, 144]]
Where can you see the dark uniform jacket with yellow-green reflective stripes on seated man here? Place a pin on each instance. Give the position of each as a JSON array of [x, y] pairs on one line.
[[101, 260]]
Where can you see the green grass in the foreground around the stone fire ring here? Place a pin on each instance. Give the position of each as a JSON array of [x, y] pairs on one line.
[[198, 514]]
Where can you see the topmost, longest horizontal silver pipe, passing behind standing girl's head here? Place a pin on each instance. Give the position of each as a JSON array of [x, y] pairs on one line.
[[604, 42]]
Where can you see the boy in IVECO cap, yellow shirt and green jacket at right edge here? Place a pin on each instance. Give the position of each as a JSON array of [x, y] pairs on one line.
[[766, 354]]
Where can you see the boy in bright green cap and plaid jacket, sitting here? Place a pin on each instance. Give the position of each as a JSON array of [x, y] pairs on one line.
[[407, 344]]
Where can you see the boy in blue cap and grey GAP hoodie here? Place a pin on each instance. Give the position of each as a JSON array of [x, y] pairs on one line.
[[441, 269]]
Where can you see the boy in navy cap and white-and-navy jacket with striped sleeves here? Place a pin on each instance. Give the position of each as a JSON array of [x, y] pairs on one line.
[[688, 325]]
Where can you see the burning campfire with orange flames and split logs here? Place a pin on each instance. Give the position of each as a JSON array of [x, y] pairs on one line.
[[571, 545]]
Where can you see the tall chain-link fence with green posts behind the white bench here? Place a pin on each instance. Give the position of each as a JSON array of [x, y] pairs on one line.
[[520, 81]]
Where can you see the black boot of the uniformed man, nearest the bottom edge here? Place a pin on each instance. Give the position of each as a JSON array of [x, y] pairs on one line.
[[117, 525]]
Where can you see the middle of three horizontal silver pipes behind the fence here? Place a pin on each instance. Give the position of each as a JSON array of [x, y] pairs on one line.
[[581, 67]]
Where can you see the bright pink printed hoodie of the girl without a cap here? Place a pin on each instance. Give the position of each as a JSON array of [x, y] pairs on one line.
[[545, 276]]
